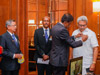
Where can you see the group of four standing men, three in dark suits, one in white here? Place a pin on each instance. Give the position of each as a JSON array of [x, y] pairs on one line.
[[51, 45]]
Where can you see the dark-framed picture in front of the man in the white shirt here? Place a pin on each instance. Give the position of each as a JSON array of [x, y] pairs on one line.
[[76, 66]]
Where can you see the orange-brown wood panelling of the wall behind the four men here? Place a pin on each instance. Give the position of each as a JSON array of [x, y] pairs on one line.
[[18, 10]]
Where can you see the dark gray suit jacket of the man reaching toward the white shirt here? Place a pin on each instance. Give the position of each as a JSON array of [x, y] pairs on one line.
[[61, 41]]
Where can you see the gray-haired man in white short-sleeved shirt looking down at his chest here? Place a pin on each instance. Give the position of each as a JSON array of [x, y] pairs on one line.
[[89, 50]]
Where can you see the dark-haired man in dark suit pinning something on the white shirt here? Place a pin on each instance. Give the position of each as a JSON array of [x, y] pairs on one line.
[[61, 41]]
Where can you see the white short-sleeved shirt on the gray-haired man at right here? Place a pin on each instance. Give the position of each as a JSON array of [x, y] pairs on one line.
[[87, 49]]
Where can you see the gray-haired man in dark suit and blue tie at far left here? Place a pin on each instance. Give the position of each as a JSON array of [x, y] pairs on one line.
[[11, 53]]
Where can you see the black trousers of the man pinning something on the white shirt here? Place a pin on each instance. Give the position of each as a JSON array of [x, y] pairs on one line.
[[59, 70]]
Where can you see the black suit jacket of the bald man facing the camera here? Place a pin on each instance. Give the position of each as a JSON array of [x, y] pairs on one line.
[[40, 43]]
